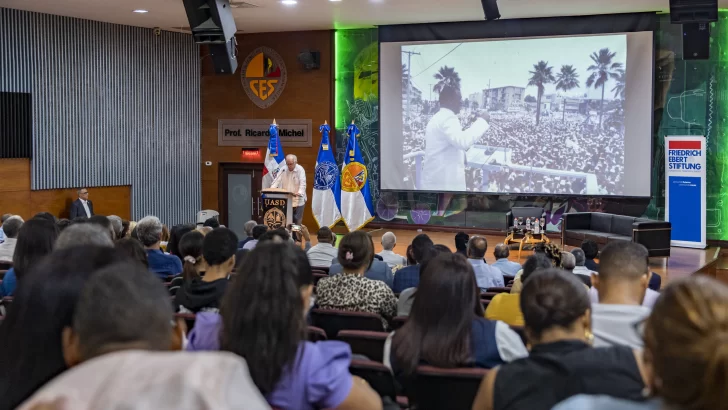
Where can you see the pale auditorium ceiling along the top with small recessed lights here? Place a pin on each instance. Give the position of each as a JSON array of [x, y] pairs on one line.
[[254, 16]]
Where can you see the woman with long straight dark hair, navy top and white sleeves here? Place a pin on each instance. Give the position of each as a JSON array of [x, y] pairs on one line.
[[456, 336]]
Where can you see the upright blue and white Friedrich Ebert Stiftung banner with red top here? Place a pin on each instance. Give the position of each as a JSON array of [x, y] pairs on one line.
[[685, 190]]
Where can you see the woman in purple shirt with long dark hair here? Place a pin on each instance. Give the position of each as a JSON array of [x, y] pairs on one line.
[[263, 320]]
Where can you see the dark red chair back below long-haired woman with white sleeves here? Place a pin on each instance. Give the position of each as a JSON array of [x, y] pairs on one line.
[[453, 389]]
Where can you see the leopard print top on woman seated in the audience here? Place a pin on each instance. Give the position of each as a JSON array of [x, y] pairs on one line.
[[356, 293]]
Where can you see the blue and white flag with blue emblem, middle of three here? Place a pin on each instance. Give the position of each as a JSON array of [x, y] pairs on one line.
[[326, 199]]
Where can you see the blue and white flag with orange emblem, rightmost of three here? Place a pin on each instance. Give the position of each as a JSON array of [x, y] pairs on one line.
[[356, 198]]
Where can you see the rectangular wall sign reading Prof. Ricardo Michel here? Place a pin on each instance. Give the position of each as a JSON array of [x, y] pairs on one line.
[[253, 133]]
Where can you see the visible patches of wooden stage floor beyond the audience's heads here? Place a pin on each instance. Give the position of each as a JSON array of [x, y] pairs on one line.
[[681, 263]]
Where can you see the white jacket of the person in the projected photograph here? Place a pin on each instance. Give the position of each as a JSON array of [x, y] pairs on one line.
[[445, 146]]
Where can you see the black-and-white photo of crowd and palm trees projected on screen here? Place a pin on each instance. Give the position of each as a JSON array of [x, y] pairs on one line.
[[554, 110]]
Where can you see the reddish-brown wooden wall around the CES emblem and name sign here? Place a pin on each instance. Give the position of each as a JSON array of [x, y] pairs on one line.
[[307, 96]]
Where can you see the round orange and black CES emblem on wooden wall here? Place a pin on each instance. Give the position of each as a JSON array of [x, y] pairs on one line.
[[264, 76]]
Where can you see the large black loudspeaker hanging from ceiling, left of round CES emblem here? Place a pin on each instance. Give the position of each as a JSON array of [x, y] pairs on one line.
[[212, 23]]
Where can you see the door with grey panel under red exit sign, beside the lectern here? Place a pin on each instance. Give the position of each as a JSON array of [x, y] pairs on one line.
[[240, 186]]
